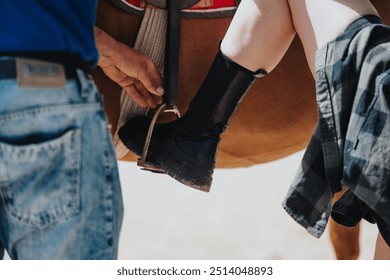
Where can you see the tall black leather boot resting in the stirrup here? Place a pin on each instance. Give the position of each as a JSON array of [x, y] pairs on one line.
[[186, 149]]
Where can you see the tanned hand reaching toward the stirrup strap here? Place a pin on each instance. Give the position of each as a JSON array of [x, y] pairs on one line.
[[132, 70]]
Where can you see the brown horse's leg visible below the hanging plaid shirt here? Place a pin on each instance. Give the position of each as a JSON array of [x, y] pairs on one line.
[[345, 240]]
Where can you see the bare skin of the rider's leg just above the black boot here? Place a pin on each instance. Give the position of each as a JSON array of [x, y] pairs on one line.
[[259, 35]]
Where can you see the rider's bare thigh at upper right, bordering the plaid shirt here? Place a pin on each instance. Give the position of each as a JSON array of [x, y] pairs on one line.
[[319, 22]]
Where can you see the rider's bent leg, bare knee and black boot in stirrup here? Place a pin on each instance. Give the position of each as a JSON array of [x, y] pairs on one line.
[[258, 37]]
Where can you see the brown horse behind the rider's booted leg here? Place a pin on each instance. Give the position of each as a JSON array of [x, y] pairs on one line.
[[276, 118]]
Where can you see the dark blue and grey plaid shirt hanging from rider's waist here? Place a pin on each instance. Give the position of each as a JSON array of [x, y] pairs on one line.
[[351, 143]]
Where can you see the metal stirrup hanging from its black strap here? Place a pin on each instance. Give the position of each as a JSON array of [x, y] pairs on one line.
[[171, 67]]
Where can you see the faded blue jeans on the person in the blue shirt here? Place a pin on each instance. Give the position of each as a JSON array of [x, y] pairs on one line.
[[59, 183]]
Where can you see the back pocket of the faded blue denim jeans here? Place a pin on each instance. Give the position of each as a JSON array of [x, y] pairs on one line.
[[40, 183]]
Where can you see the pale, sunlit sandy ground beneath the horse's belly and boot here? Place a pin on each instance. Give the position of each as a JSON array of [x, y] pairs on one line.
[[241, 217]]
